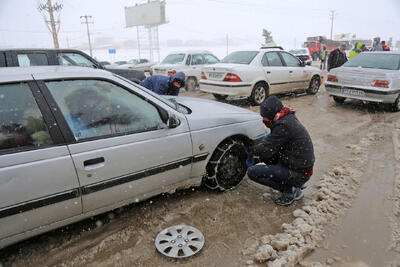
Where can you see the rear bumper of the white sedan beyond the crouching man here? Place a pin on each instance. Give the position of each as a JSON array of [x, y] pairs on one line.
[[233, 88]]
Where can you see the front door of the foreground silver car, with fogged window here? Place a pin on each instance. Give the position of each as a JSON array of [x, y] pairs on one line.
[[119, 143]]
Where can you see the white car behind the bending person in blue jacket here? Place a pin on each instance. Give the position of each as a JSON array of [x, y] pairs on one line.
[[188, 62]]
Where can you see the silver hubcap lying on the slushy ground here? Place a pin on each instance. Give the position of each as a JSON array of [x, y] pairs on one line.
[[179, 241]]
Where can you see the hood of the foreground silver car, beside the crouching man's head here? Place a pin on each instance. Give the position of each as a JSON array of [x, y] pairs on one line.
[[208, 113]]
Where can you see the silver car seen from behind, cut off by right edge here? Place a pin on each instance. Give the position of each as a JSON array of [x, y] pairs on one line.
[[369, 76]]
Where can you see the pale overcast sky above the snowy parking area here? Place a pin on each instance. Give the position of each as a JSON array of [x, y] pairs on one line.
[[290, 21]]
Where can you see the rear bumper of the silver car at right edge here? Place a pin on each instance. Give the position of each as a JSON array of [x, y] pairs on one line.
[[372, 95]]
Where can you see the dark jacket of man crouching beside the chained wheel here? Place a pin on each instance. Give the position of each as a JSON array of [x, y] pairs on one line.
[[288, 142]]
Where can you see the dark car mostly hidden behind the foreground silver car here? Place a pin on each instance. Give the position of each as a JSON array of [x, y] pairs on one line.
[[65, 57]]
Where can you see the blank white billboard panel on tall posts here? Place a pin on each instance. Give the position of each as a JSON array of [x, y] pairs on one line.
[[148, 14]]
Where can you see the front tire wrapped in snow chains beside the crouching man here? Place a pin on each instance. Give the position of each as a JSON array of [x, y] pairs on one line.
[[227, 166]]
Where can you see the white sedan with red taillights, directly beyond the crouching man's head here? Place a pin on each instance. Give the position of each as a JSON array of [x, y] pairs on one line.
[[258, 73]]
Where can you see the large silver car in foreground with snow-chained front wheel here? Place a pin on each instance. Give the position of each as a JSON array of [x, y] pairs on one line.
[[76, 142]]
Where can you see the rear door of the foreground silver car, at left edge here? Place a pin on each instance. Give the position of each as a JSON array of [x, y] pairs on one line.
[[38, 181]]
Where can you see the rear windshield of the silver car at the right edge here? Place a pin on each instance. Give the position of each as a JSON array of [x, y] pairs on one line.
[[375, 61]]
